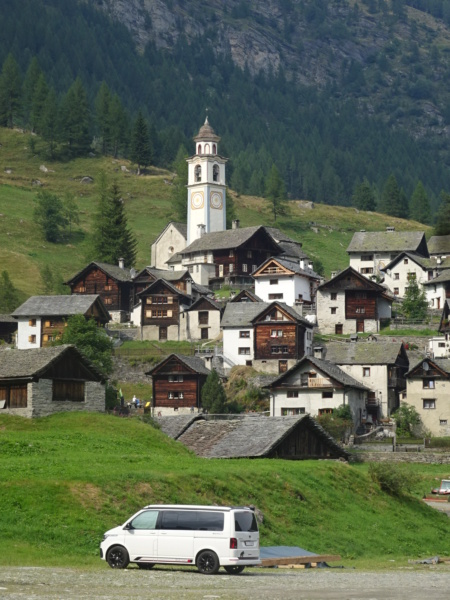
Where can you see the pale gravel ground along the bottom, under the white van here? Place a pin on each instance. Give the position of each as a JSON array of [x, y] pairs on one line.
[[429, 582]]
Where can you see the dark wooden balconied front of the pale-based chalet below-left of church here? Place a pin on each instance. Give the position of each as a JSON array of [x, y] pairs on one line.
[[161, 304]]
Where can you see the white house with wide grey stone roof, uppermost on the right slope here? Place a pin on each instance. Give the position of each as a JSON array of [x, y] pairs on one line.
[[371, 251]]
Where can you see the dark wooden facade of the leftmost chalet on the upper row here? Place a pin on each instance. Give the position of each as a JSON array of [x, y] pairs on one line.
[[117, 294]]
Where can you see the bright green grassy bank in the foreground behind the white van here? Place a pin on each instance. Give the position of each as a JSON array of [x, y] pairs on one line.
[[68, 478]]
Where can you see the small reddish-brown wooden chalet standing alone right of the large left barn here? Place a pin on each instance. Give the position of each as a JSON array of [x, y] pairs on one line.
[[176, 385]]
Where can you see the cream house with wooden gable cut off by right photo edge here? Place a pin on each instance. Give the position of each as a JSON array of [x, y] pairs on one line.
[[428, 391]]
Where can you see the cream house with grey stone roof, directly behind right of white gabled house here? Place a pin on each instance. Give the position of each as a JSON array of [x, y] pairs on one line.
[[379, 366]]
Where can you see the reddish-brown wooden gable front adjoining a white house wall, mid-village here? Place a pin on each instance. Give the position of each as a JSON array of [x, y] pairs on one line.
[[278, 335]]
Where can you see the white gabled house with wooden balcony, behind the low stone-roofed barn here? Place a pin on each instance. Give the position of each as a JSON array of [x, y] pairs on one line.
[[314, 386]]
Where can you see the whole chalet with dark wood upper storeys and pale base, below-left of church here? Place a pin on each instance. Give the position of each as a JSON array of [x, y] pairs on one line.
[[159, 311]]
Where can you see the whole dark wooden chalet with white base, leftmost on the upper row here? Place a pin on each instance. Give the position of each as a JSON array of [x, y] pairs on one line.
[[113, 283]]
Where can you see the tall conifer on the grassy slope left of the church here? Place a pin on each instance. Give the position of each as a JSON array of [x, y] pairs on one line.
[[112, 237]]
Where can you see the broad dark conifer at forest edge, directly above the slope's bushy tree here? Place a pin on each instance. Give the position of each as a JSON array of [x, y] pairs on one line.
[[75, 120]]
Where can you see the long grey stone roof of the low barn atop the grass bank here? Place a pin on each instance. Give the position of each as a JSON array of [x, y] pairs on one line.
[[248, 436]]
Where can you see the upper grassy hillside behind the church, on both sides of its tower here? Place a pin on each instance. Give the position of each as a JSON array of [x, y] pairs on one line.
[[23, 251]]
